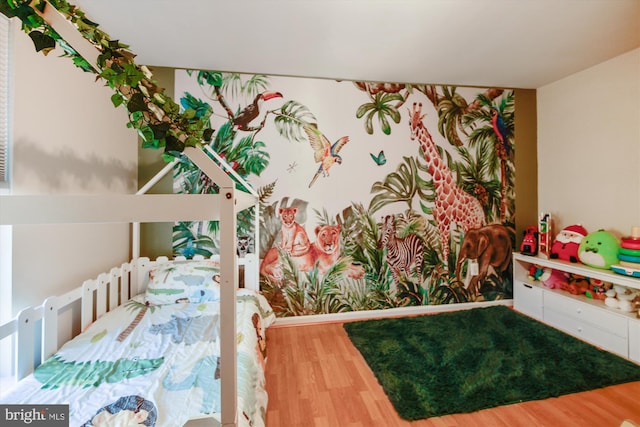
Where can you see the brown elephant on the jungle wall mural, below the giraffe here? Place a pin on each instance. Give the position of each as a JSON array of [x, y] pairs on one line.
[[490, 246]]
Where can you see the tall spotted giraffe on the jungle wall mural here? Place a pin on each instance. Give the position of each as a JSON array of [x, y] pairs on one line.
[[453, 204]]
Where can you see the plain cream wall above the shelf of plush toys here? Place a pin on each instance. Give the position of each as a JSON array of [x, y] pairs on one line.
[[589, 147]]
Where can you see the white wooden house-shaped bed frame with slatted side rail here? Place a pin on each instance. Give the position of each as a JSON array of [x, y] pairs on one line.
[[141, 208]]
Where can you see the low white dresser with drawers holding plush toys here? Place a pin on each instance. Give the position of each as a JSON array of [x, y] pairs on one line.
[[585, 318]]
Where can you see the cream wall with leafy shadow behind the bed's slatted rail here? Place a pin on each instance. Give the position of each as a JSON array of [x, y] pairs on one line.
[[67, 138]]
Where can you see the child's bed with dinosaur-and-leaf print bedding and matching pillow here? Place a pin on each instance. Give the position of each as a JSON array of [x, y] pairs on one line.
[[154, 358]]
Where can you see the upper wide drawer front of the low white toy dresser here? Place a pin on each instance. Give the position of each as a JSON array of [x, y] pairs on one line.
[[601, 318]]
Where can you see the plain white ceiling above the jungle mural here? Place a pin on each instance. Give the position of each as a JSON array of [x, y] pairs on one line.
[[501, 43]]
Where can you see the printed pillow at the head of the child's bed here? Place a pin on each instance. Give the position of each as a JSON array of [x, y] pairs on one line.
[[183, 281]]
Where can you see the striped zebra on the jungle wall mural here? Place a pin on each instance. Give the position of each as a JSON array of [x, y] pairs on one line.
[[401, 252]]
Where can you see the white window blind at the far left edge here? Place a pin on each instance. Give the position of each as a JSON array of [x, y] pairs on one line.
[[4, 100]]
